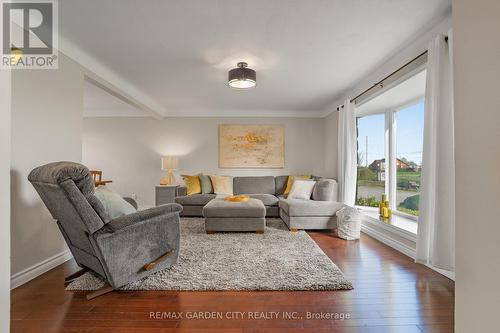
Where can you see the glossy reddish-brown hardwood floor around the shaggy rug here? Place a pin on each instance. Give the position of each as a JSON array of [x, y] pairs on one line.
[[391, 294]]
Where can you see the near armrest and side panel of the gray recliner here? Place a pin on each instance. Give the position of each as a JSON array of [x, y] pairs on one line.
[[128, 243]]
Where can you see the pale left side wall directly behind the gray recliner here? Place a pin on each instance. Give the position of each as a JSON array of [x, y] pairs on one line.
[[46, 127]]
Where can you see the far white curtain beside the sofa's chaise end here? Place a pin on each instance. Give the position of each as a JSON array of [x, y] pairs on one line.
[[347, 154]]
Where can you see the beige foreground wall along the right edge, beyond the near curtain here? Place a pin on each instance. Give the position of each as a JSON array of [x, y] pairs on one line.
[[477, 124]]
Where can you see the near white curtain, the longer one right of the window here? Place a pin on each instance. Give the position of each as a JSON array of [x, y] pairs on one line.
[[436, 224]]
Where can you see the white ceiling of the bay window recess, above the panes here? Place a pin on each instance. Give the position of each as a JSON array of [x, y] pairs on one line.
[[409, 91]]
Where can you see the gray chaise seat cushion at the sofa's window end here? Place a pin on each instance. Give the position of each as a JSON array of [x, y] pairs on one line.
[[301, 207]]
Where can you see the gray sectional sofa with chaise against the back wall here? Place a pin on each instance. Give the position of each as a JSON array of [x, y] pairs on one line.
[[317, 213]]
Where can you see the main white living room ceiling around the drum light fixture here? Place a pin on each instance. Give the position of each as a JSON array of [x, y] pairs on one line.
[[306, 53]]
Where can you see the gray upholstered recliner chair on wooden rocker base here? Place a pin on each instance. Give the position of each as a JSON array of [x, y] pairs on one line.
[[120, 251]]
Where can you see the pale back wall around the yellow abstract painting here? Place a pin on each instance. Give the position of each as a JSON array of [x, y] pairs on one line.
[[128, 150]]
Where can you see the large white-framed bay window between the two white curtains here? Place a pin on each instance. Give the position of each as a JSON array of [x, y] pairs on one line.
[[390, 130]]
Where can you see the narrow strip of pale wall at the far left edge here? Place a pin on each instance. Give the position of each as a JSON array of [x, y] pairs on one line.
[[5, 109]]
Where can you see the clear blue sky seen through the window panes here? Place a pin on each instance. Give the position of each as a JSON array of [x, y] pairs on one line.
[[409, 134]]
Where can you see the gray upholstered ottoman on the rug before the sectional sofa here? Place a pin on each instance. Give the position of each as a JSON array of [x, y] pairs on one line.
[[221, 215]]
